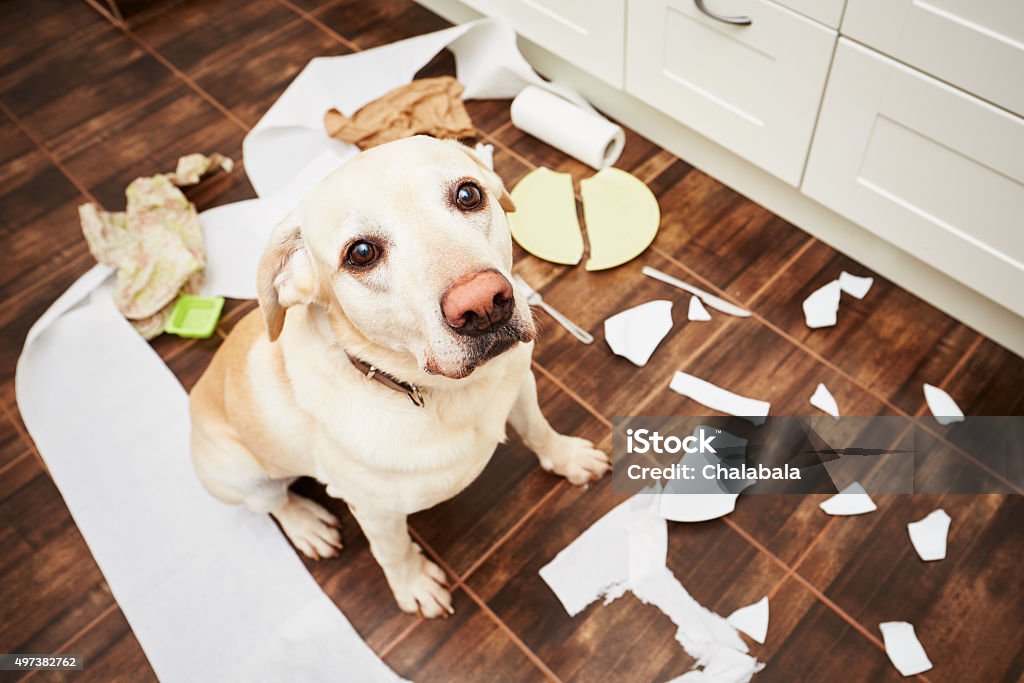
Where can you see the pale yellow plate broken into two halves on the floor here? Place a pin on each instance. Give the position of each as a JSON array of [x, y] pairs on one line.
[[621, 214]]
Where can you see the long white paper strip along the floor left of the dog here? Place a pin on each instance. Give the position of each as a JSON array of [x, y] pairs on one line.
[[112, 423]]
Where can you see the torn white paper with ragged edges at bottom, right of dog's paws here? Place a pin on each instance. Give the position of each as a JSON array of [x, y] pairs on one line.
[[594, 567]]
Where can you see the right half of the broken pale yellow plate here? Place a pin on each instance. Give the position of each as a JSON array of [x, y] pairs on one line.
[[622, 218]]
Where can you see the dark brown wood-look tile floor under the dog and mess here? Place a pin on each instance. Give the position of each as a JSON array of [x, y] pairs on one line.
[[92, 98]]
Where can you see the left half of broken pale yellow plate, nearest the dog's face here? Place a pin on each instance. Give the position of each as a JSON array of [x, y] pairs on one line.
[[545, 221]]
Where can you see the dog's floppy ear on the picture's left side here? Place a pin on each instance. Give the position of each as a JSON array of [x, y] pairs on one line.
[[285, 277]]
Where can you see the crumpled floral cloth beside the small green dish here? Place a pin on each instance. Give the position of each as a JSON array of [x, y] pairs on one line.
[[156, 244]]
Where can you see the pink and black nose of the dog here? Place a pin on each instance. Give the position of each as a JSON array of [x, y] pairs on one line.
[[479, 303]]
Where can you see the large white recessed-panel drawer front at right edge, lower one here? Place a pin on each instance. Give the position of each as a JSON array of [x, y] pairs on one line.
[[928, 167]]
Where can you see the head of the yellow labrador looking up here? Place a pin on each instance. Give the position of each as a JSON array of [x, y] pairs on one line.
[[408, 247]]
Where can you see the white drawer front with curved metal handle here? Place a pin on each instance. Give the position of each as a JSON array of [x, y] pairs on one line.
[[753, 90]]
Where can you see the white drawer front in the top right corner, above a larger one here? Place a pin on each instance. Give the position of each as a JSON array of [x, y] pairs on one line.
[[975, 45]]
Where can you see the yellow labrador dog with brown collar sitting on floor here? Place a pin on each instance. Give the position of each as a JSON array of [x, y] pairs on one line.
[[404, 353]]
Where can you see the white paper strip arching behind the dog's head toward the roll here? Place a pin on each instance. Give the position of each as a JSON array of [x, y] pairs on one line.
[[291, 135]]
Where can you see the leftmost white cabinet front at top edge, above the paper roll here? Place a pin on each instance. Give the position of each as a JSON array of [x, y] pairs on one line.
[[591, 35]]
